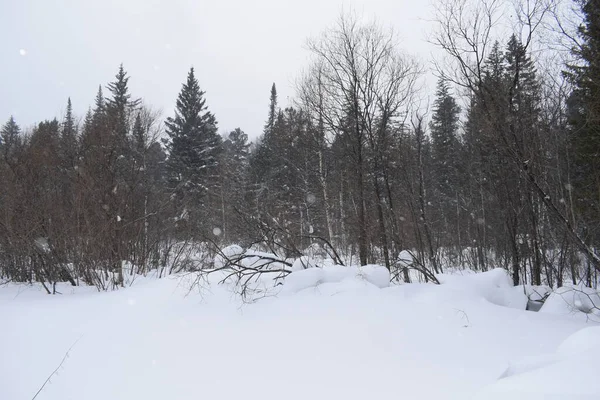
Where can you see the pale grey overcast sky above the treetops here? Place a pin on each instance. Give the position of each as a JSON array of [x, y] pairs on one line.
[[53, 49]]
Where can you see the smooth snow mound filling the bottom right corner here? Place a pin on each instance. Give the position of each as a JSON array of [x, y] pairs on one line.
[[570, 373]]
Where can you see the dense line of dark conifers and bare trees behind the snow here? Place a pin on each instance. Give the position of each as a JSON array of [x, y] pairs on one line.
[[356, 168]]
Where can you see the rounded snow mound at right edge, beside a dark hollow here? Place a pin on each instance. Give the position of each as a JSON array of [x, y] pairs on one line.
[[580, 301]]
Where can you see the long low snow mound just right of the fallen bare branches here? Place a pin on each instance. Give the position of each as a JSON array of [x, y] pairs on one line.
[[301, 279]]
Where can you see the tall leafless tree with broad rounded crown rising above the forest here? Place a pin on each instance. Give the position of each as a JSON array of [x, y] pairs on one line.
[[363, 87]]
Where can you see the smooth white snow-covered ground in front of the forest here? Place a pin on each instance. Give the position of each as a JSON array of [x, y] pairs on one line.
[[325, 334]]
